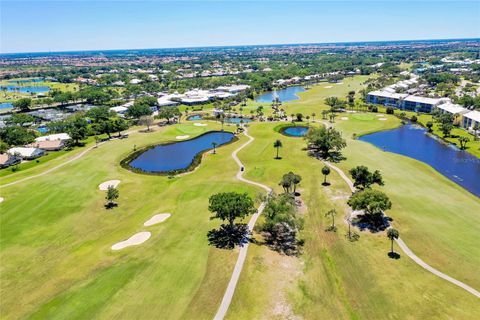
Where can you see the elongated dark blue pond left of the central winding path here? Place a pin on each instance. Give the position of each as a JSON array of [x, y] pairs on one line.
[[176, 156]]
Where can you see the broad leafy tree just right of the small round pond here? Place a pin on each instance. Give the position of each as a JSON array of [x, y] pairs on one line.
[[325, 141]]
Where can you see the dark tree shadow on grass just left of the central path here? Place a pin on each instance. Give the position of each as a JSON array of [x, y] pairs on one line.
[[227, 237]]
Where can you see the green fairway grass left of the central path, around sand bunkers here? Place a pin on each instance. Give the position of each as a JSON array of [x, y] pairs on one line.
[[55, 239]]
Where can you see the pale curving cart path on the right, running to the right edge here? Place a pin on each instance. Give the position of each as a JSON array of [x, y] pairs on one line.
[[407, 250]]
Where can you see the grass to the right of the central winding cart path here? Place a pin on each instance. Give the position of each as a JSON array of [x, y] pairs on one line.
[[340, 279]]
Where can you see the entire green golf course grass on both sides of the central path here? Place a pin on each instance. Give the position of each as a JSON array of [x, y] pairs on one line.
[[56, 235]]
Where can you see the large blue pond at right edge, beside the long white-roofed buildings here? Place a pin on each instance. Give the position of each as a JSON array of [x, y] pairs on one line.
[[415, 142]]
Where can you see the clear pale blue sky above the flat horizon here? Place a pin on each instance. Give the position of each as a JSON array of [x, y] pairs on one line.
[[32, 26]]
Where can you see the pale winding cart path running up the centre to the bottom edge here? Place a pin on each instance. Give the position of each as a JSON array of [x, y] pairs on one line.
[[232, 284]]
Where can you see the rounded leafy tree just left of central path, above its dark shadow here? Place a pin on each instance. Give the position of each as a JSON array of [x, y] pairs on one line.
[[230, 206]]
